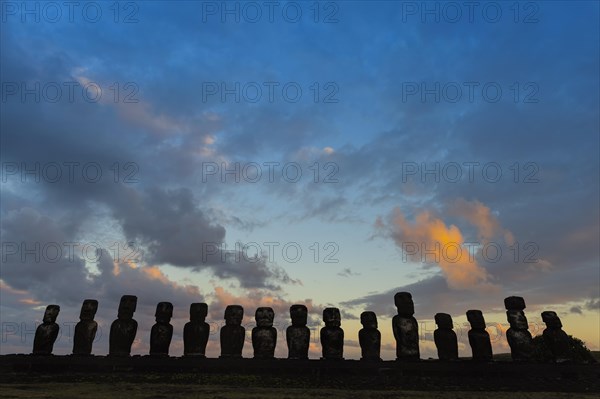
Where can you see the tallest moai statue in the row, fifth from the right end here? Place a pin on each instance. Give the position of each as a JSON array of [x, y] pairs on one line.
[[406, 330]]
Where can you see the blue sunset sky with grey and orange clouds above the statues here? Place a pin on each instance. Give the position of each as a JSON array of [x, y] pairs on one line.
[[323, 153]]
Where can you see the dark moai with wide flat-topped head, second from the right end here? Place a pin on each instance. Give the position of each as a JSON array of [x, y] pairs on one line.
[[518, 336]]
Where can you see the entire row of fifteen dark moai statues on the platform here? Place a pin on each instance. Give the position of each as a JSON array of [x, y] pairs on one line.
[[264, 335]]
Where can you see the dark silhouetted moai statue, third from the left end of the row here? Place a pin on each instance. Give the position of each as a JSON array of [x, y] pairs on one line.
[[123, 330]]
